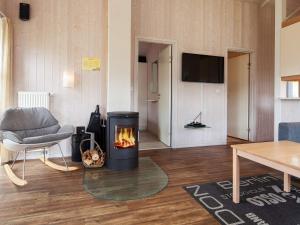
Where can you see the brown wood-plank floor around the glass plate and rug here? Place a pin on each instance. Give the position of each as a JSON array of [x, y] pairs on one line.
[[53, 197]]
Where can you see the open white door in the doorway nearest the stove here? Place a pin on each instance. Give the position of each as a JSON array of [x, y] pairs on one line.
[[164, 97]]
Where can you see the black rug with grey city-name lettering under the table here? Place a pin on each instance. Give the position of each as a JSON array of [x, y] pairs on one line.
[[263, 201]]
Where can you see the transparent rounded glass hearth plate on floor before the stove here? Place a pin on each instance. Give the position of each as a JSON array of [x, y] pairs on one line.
[[148, 179]]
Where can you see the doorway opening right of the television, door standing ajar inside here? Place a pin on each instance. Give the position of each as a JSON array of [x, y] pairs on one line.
[[238, 104]]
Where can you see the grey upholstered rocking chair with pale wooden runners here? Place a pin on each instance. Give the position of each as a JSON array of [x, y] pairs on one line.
[[32, 129]]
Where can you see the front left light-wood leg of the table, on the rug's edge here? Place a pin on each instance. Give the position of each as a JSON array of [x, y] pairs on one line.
[[236, 178]]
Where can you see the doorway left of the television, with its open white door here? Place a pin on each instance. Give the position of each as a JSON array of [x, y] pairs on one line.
[[154, 94]]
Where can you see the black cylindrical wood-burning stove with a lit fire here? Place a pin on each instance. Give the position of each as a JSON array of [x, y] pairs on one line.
[[122, 140]]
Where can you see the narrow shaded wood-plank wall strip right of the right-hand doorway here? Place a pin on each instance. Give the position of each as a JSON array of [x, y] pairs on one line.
[[265, 74]]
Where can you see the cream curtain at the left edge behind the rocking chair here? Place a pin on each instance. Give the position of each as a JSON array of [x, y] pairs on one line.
[[6, 80]]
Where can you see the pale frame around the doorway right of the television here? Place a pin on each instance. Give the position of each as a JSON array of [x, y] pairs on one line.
[[251, 103]]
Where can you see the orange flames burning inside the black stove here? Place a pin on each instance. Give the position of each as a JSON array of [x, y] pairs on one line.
[[125, 138]]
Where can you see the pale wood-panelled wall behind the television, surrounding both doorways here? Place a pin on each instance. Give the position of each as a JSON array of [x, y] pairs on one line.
[[204, 27]]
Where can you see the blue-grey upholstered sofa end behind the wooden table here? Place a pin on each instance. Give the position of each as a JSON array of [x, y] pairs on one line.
[[289, 131]]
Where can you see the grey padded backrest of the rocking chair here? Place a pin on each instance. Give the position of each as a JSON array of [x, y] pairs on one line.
[[29, 122]]
